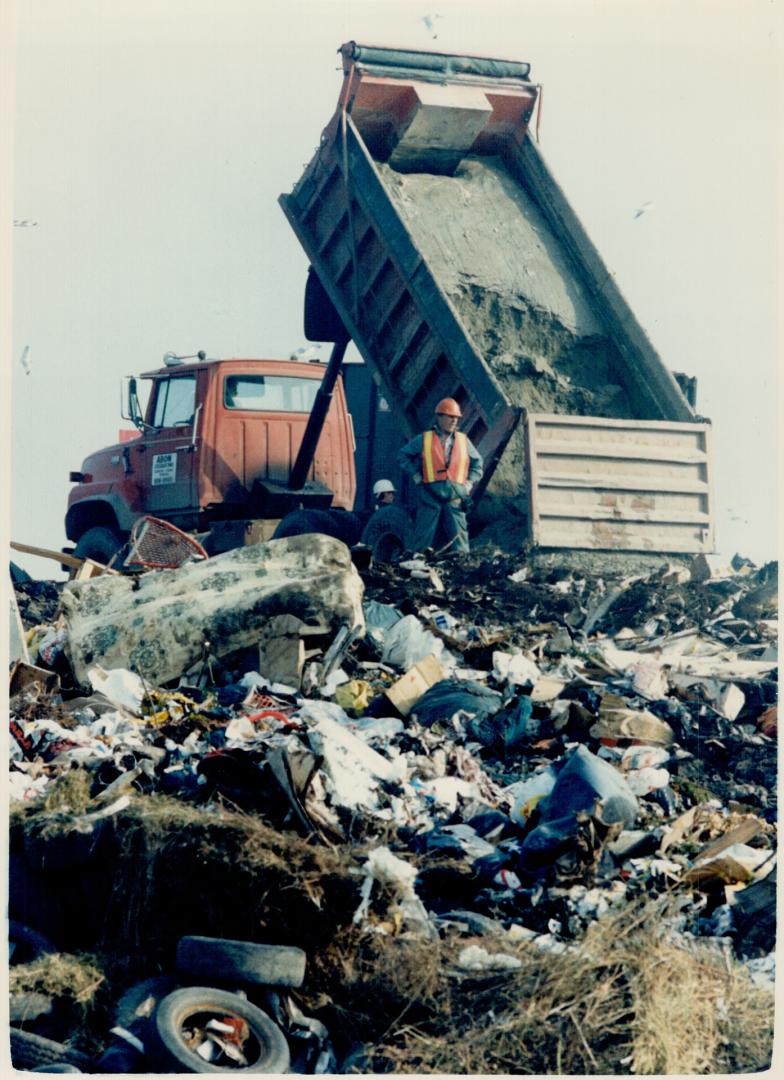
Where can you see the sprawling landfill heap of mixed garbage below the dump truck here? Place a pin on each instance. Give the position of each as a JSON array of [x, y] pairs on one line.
[[464, 816]]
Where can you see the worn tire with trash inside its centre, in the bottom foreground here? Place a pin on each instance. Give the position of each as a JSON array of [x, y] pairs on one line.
[[266, 1047]]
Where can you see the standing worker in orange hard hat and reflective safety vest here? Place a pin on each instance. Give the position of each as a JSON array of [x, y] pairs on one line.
[[445, 466]]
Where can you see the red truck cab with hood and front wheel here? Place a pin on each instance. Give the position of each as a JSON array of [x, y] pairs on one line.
[[219, 437]]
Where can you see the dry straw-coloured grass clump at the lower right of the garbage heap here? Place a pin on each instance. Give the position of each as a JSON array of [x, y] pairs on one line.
[[628, 1001]]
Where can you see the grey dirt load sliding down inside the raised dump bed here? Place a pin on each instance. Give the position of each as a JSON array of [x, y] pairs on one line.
[[517, 294]]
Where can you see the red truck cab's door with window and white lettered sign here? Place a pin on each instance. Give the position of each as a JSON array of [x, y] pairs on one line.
[[167, 456]]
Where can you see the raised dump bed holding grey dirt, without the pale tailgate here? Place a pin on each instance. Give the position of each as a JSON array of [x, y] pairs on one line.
[[456, 264]]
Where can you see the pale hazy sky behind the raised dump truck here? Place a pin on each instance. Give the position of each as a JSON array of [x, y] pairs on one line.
[[150, 143]]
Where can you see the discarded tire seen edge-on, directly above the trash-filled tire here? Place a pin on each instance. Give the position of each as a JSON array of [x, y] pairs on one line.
[[241, 962]]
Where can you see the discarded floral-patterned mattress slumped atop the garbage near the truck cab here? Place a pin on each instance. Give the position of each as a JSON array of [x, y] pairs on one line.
[[157, 625]]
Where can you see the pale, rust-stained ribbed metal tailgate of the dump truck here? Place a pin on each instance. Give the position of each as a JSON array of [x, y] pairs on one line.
[[630, 485]]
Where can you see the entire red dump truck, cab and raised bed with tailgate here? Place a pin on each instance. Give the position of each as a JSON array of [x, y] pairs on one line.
[[441, 244]]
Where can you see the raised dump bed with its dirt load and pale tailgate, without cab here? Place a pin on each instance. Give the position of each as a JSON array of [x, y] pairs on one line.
[[445, 248]]
